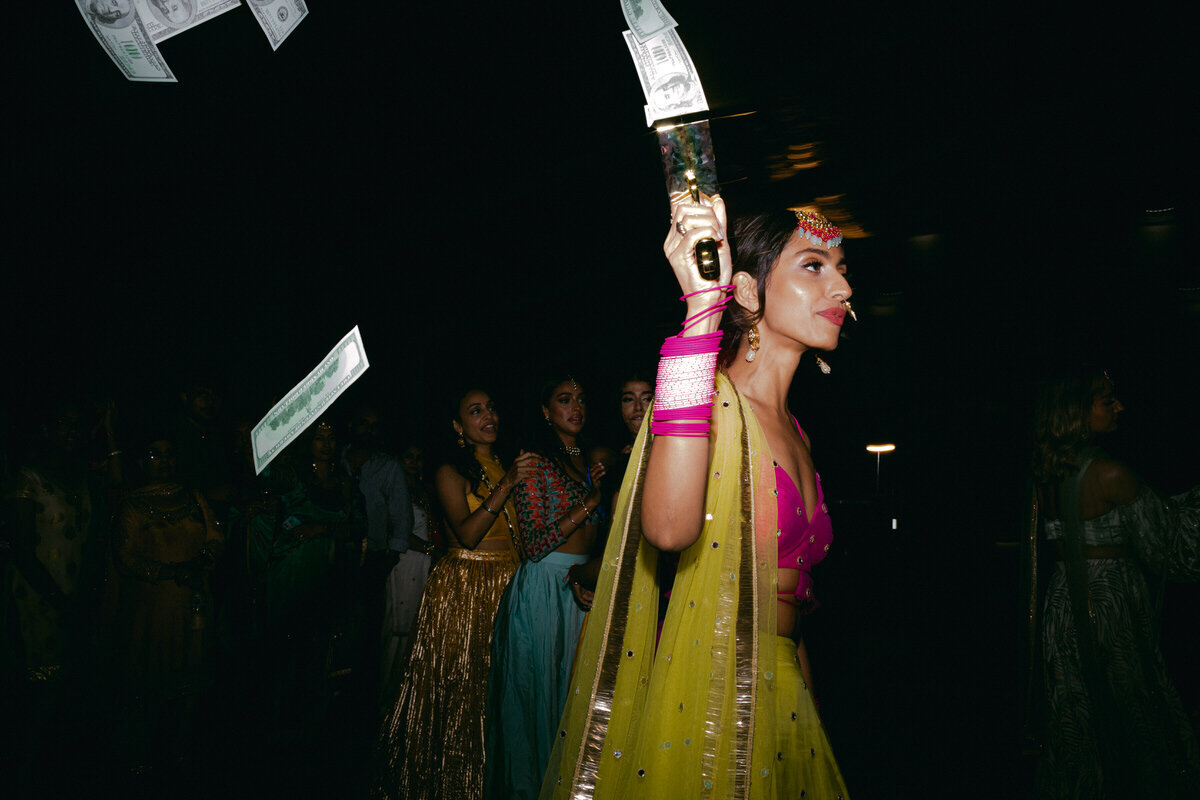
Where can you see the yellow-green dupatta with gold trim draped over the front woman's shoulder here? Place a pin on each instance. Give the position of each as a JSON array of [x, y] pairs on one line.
[[682, 723]]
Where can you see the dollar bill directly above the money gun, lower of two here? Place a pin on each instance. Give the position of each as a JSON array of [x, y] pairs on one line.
[[669, 77]]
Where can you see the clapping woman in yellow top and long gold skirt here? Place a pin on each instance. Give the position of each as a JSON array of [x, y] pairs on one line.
[[433, 739]]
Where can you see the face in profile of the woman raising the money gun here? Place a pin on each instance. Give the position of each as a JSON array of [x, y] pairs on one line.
[[805, 294]]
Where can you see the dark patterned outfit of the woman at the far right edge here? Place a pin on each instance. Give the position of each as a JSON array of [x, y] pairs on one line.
[[1115, 725]]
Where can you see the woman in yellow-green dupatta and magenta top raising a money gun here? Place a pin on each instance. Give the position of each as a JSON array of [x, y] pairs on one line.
[[721, 706]]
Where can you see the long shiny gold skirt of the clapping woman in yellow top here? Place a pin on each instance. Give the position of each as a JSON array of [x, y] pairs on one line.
[[431, 744]]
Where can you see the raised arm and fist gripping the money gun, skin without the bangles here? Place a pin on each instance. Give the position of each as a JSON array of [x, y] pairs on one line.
[[677, 473]]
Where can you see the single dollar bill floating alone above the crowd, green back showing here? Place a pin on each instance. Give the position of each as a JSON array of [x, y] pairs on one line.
[[309, 400]]
